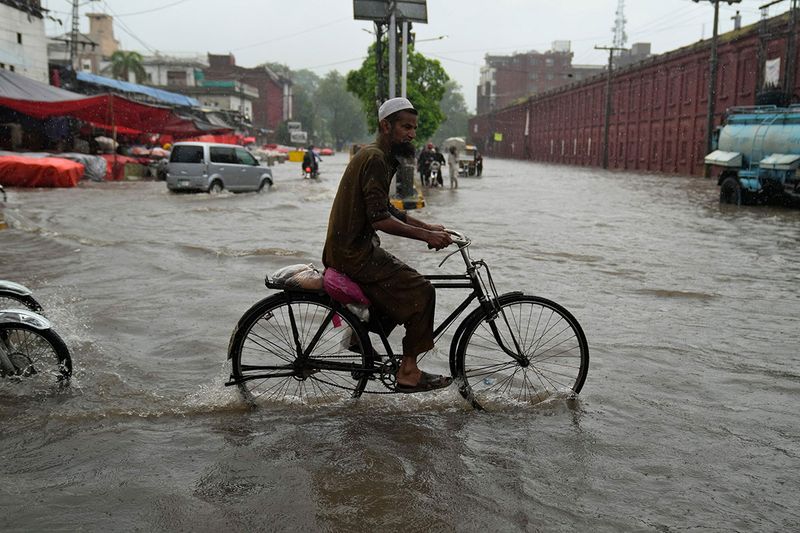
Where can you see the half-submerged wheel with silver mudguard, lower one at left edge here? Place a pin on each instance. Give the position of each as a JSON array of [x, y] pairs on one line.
[[26, 351]]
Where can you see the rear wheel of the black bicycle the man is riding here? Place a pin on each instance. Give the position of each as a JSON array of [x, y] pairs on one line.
[[301, 350]]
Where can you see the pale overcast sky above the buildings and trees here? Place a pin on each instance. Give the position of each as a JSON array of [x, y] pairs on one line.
[[321, 35]]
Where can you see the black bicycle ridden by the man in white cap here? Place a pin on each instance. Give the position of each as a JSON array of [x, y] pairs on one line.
[[511, 347]]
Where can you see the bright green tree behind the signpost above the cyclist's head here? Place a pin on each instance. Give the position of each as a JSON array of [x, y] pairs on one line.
[[425, 89]]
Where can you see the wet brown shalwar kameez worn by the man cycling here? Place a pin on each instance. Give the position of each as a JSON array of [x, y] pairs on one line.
[[352, 247]]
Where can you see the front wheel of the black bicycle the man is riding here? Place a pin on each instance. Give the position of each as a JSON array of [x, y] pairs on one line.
[[548, 341]]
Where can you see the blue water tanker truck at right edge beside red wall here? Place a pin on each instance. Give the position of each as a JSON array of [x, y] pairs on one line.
[[758, 150]]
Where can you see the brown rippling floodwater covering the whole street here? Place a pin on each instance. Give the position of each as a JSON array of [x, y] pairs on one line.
[[688, 418]]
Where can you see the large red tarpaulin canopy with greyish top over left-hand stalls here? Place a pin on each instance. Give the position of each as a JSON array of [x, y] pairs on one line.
[[105, 111]]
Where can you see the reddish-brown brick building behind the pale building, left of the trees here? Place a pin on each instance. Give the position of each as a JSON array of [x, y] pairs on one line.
[[274, 103]]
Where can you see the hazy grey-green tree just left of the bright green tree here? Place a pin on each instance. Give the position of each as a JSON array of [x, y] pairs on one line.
[[338, 110]]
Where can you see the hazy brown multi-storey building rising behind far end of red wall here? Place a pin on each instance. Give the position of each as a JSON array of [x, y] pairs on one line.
[[505, 79]]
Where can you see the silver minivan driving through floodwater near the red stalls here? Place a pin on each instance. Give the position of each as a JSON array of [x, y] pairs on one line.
[[214, 167]]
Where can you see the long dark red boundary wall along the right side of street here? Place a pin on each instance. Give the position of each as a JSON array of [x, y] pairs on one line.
[[659, 107]]
